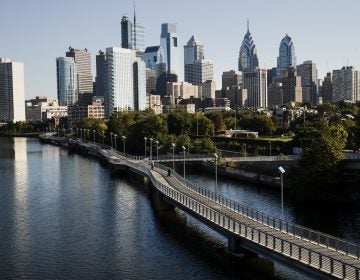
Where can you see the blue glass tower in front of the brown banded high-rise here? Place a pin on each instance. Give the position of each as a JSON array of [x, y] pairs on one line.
[[67, 81]]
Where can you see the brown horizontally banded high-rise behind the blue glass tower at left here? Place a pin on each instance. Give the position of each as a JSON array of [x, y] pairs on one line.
[[82, 58]]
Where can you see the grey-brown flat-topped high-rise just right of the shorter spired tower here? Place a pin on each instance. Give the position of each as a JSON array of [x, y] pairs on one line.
[[308, 73]]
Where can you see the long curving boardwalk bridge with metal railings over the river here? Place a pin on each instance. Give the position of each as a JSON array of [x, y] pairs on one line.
[[321, 254]]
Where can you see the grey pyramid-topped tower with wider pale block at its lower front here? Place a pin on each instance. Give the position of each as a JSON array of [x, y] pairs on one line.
[[197, 69]]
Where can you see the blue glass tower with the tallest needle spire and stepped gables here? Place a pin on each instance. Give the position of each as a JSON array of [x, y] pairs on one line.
[[248, 59]]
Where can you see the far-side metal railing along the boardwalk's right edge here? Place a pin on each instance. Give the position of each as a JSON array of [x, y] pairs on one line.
[[293, 229]]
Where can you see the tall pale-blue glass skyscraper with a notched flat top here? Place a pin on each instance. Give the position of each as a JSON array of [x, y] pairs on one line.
[[170, 47]]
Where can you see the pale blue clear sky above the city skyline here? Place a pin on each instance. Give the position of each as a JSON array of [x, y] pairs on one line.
[[37, 31]]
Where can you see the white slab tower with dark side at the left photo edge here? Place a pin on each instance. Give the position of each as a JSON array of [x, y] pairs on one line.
[[12, 91]]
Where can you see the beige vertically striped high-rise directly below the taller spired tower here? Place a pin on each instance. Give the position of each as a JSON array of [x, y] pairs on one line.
[[255, 82]]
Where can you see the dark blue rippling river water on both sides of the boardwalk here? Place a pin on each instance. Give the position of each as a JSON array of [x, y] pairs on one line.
[[64, 216]]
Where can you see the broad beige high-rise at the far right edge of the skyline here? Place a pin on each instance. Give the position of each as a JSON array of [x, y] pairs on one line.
[[346, 85]]
